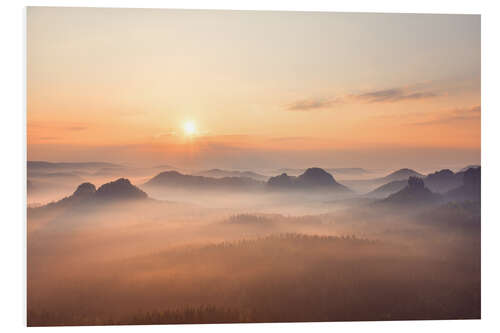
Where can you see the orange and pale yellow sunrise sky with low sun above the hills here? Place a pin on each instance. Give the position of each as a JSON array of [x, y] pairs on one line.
[[250, 89]]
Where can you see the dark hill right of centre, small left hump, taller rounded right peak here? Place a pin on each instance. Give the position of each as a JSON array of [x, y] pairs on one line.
[[316, 178]]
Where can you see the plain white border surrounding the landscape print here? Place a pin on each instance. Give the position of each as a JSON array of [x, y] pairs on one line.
[[12, 39]]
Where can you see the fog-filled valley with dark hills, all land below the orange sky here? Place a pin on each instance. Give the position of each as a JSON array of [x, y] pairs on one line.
[[113, 244]]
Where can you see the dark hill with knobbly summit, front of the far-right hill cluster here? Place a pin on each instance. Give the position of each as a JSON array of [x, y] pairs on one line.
[[414, 194]]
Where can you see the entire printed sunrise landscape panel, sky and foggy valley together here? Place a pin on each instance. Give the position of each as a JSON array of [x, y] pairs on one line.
[[282, 103]]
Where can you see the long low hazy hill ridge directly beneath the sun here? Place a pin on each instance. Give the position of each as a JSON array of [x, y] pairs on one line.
[[174, 179]]
